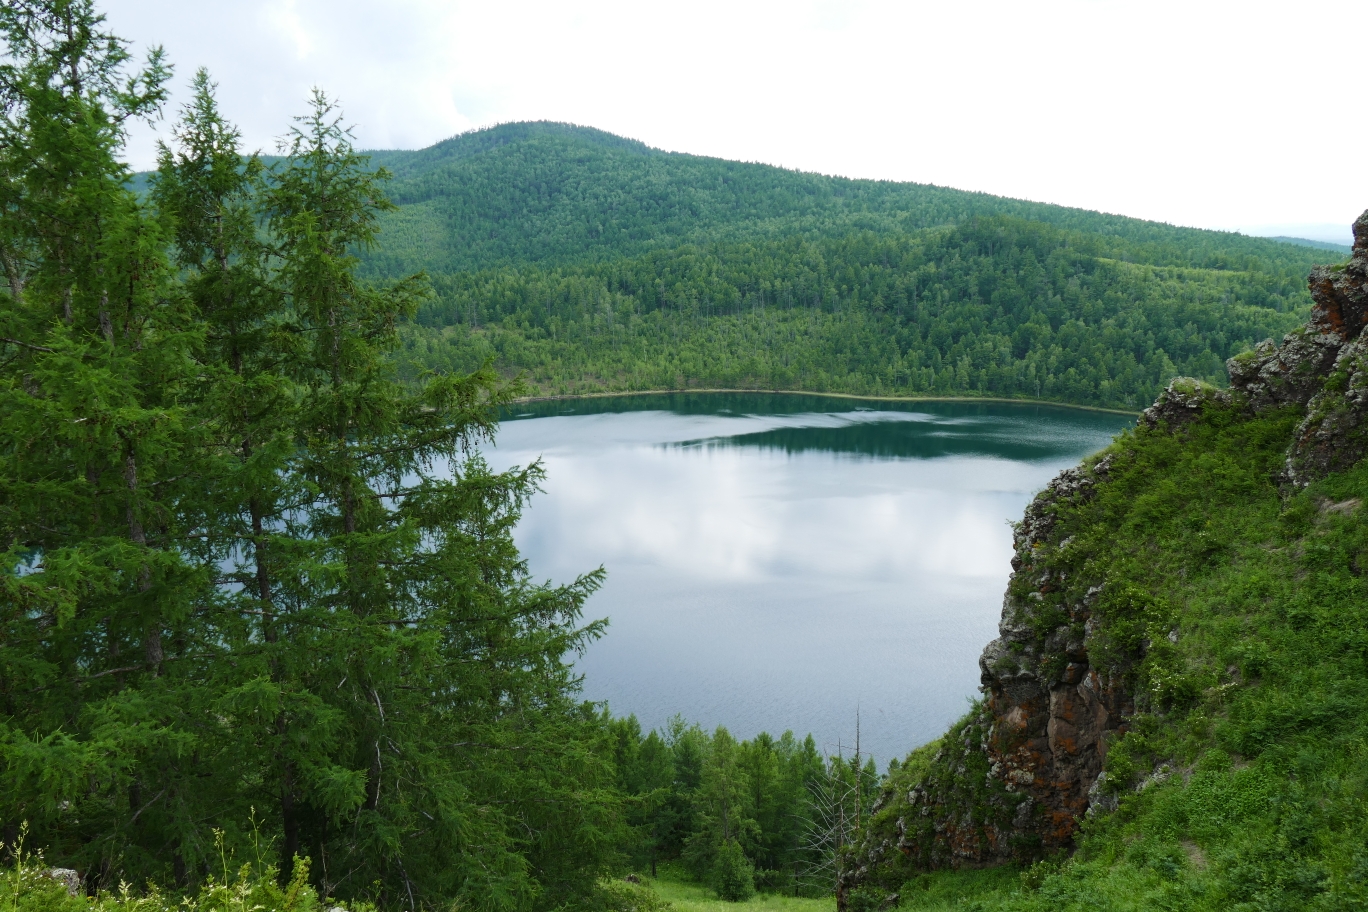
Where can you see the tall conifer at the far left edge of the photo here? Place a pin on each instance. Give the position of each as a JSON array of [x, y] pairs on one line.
[[99, 448]]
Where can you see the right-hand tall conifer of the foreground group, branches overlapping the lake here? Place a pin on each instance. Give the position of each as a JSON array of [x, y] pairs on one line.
[[419, 657]]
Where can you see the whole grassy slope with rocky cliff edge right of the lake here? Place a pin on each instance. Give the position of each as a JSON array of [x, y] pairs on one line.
[[1180, 687]]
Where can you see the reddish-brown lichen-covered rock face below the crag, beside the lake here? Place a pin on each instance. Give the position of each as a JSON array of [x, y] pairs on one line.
[[1013, 780]]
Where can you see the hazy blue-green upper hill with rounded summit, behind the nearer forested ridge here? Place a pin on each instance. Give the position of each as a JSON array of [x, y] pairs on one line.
[[553, 193]]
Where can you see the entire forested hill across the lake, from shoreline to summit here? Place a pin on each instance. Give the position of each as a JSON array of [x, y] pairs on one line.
[[592, 263]]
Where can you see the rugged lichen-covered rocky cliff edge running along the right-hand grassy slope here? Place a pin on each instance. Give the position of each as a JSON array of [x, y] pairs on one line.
[[1014, 779]]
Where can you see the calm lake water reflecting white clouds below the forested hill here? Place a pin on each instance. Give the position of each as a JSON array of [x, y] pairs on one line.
[[778, 561]]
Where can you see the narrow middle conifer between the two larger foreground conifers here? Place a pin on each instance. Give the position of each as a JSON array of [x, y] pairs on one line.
[[209, 192]]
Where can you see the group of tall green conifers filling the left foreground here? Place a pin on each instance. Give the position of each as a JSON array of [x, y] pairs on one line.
[[247, 572]]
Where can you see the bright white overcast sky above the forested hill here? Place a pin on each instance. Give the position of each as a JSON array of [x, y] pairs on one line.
[[1231, 116]]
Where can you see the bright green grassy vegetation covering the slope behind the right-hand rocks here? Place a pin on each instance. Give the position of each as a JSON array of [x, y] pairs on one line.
[[1237, 608]]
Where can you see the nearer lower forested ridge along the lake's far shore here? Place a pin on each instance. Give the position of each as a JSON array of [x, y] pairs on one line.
[[997, 307]]
